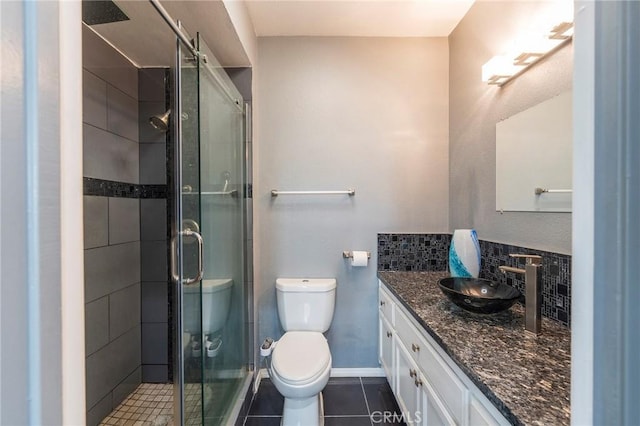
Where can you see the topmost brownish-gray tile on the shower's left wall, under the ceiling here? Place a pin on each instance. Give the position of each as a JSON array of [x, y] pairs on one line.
[[108, 64]]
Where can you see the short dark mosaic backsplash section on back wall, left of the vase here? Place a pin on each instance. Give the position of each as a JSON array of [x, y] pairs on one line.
[[413, 252]]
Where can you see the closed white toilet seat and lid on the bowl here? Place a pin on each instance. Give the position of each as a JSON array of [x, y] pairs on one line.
[[300, 357]]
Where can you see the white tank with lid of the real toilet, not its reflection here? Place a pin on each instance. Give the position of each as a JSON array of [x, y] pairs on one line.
[[306, 304]]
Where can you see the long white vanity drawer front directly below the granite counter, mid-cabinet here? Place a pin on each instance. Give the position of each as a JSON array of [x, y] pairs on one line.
[[439, 375]]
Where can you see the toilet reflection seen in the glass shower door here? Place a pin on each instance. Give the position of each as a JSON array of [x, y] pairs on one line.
[[216, 300]]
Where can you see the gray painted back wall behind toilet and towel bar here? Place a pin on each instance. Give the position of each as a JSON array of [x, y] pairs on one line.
[[337, 113]]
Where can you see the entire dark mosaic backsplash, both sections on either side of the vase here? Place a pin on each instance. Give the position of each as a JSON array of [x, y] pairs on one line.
[[430, 252]]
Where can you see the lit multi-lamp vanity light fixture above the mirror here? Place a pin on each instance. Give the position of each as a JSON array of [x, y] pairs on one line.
[[527, 51]]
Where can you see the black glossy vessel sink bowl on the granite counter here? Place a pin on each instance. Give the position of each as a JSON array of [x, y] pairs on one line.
[[478, 295]]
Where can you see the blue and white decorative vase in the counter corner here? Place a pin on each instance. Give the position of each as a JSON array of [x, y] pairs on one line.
[[464, 254]]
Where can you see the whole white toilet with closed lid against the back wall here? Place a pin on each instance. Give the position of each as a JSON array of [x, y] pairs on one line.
[[301, 361]]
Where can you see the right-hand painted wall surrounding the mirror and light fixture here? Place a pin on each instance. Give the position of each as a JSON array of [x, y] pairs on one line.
[[476, 107]]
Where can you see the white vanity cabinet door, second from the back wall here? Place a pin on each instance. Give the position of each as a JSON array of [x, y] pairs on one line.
[[408, 393]]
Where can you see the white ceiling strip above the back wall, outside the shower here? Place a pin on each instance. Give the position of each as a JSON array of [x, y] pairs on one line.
[[366, 18]]
